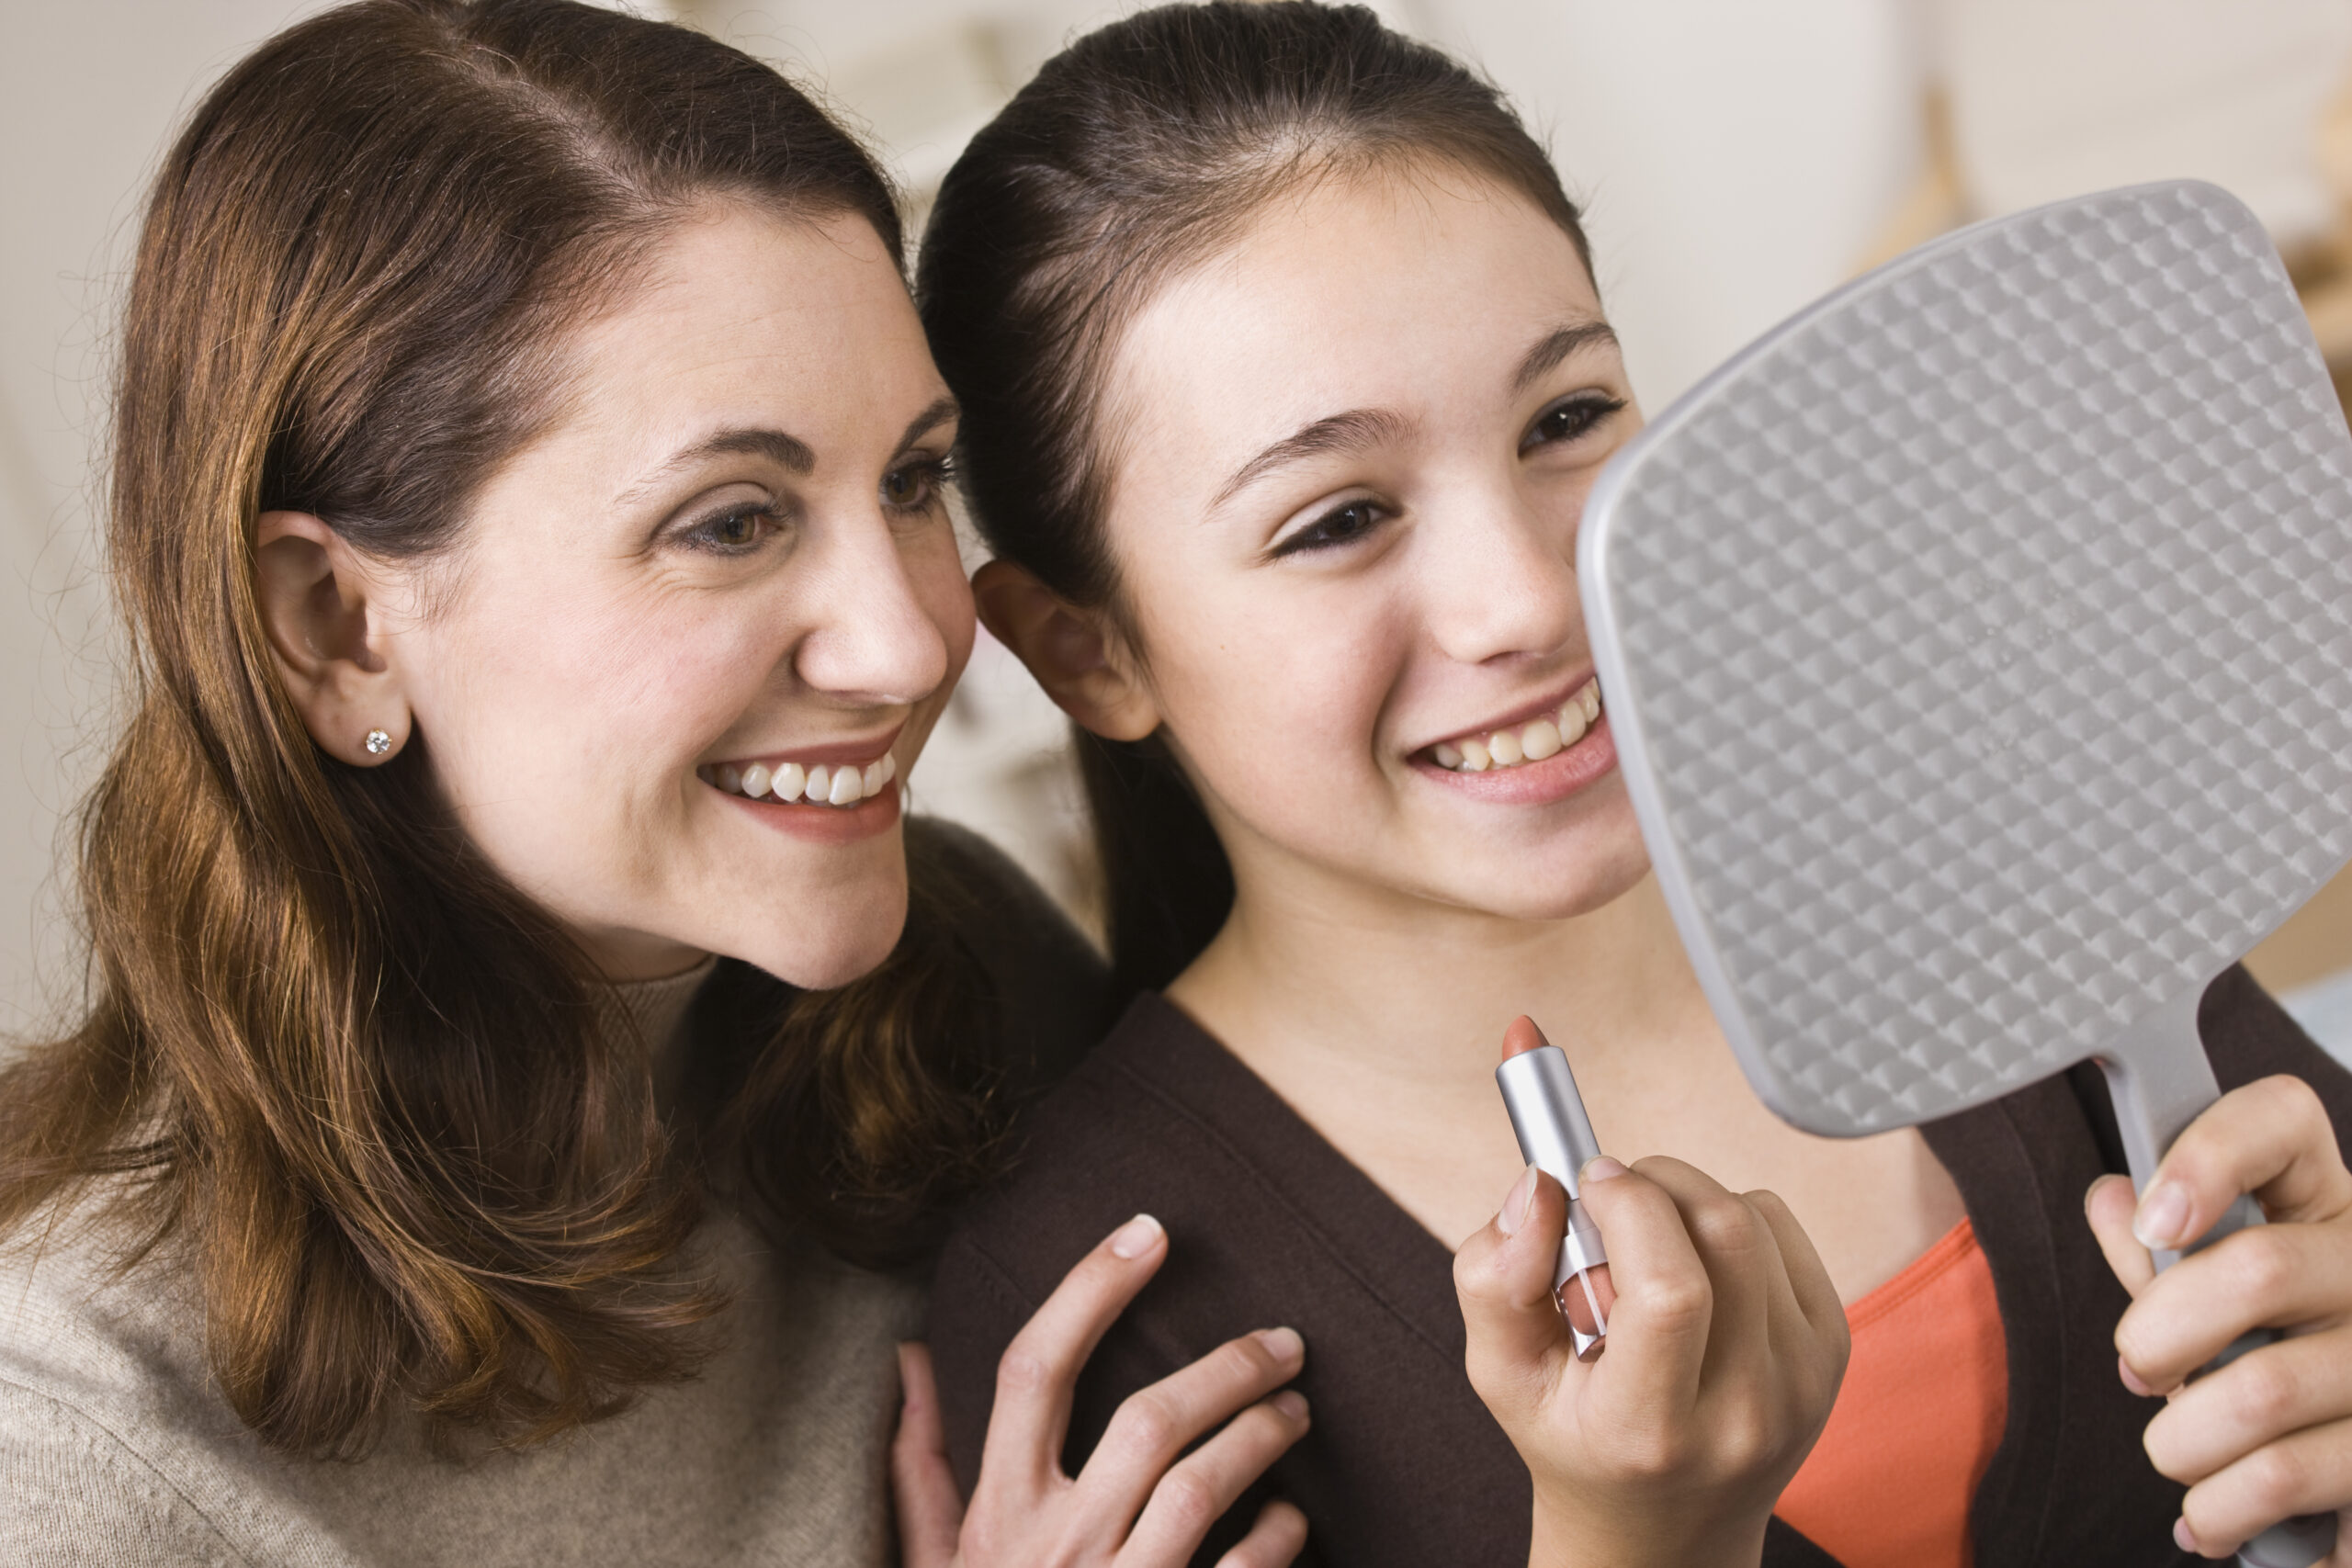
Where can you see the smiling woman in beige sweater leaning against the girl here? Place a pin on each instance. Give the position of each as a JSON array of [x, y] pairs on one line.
[[521, 1064]]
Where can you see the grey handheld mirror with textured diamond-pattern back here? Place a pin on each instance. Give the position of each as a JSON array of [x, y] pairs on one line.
[[1979, 652]]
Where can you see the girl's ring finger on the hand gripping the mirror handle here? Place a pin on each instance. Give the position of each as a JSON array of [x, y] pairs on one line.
[[2257, 1400]]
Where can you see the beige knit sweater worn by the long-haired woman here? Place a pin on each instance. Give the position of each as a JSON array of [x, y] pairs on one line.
[[116, 1452]]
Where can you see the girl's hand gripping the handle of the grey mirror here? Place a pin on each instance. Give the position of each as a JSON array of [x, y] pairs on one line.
[[2271, 1435]]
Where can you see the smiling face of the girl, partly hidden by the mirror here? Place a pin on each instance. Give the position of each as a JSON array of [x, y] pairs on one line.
[[1349, 467]]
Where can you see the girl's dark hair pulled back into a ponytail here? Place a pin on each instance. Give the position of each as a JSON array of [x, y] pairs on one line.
[[1142, 152]]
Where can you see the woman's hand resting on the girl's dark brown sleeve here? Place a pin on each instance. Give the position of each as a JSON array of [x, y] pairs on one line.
[[1140, 1501]]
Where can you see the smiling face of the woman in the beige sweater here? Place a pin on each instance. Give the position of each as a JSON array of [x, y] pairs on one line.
[[733, 551]]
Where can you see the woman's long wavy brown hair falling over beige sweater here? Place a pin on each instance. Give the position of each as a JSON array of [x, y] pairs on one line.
[[333, 1059]]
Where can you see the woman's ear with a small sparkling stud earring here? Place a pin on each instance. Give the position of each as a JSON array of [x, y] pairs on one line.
[[328, 636]]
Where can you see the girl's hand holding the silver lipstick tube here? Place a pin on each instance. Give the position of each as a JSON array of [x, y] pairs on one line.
[[1723, 1362]]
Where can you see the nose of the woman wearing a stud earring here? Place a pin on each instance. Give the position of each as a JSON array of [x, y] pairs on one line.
[[876, 638]]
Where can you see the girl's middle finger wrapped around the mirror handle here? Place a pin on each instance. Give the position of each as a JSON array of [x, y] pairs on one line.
[[2261, 1278]]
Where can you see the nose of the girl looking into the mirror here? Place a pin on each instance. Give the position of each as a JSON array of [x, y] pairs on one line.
[[1504, 582]]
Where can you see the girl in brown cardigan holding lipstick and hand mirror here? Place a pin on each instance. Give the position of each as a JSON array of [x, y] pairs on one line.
[[1283, 384]]
